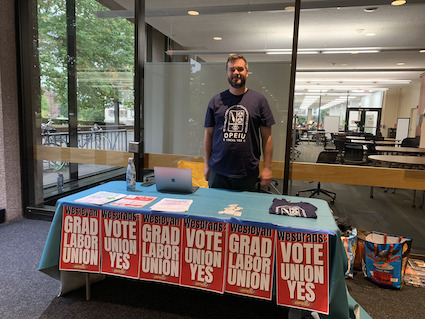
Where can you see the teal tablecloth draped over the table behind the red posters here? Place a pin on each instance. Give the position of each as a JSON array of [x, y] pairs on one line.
[[206, 204]]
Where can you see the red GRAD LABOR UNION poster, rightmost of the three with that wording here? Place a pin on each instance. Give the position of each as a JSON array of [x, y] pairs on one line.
[[250, 260]]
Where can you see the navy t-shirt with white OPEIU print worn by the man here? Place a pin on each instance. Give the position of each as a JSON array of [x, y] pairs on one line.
[[236, 119]]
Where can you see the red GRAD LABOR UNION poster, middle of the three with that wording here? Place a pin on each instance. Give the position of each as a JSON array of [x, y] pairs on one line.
[[160, 248]]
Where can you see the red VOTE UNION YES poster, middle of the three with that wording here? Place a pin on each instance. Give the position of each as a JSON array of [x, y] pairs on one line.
[[203, 254]]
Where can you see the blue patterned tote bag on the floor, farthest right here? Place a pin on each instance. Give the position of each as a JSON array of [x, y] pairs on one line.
[[385, 258]]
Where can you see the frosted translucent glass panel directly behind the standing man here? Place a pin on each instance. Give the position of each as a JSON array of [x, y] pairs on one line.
[[177, 95]]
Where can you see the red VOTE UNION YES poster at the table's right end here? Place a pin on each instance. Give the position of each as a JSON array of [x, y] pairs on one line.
[[302, 277]]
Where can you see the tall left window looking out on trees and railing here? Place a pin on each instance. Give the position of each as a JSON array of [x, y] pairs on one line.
[[82, 91]]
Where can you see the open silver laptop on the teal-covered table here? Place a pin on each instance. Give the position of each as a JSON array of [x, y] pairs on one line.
[[173, 180]]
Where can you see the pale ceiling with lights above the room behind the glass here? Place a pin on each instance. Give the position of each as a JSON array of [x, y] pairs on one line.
[[254, 27]]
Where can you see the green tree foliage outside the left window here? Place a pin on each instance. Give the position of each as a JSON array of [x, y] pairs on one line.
[[105, 57]]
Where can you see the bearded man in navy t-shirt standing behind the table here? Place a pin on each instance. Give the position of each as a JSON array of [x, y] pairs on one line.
[[234, 123]]
